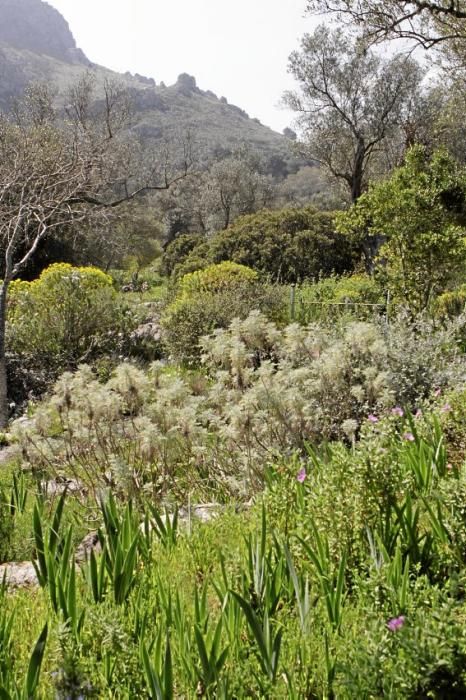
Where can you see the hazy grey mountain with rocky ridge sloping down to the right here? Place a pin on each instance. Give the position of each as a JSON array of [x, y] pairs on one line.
[[36, 44]]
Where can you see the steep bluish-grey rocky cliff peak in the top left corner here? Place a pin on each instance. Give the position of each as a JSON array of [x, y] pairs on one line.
[[36, 26]]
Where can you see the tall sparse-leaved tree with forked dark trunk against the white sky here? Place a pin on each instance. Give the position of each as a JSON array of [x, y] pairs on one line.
[[351, 103]]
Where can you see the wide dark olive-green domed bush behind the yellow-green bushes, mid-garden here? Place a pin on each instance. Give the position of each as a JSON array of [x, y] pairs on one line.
[[287, 245]]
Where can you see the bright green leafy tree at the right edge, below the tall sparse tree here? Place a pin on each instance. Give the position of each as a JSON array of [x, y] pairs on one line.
[[419, 215]]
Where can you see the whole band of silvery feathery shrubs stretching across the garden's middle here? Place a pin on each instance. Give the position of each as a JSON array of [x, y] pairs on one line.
[[268, 392]]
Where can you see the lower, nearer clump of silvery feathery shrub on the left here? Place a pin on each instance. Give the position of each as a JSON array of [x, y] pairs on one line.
[[129, 434]]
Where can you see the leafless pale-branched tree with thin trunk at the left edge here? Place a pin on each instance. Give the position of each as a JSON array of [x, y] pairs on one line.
[[54, 173]]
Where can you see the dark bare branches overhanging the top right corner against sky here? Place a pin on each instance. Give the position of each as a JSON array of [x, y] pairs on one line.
[[426, 23]]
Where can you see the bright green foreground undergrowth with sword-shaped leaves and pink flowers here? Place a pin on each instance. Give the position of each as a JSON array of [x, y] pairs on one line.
[[344, 579]]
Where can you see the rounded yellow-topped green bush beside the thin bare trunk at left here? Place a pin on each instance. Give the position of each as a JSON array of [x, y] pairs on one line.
[[66, 316]]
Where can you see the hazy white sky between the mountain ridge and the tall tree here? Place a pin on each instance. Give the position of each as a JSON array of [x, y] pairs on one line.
[[237, 48]]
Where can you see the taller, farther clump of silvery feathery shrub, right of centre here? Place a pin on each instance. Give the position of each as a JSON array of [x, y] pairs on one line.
[[278, 389]]
